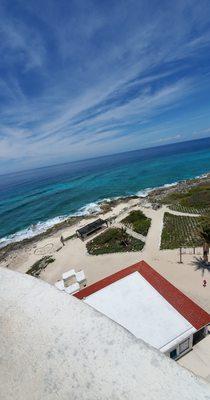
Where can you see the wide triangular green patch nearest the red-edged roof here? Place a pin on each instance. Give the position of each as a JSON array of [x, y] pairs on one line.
[[113, 240]]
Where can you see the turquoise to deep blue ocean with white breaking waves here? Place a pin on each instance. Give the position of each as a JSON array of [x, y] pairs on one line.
[[34, 200]]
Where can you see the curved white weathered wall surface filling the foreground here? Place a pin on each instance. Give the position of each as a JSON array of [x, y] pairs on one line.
[[54, 346]]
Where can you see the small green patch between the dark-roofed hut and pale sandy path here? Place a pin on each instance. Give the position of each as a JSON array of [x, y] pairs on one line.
[[138, 222]]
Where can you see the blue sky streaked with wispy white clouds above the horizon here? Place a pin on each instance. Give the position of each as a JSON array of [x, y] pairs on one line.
[[80, 79]]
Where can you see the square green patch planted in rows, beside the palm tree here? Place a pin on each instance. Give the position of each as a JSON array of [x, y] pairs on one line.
[[180, 231]]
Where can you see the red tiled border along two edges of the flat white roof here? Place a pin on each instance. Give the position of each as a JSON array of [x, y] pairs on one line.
[[183, 304]]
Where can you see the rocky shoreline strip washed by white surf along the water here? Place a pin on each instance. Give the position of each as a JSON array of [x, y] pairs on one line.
[[98, 209]]
